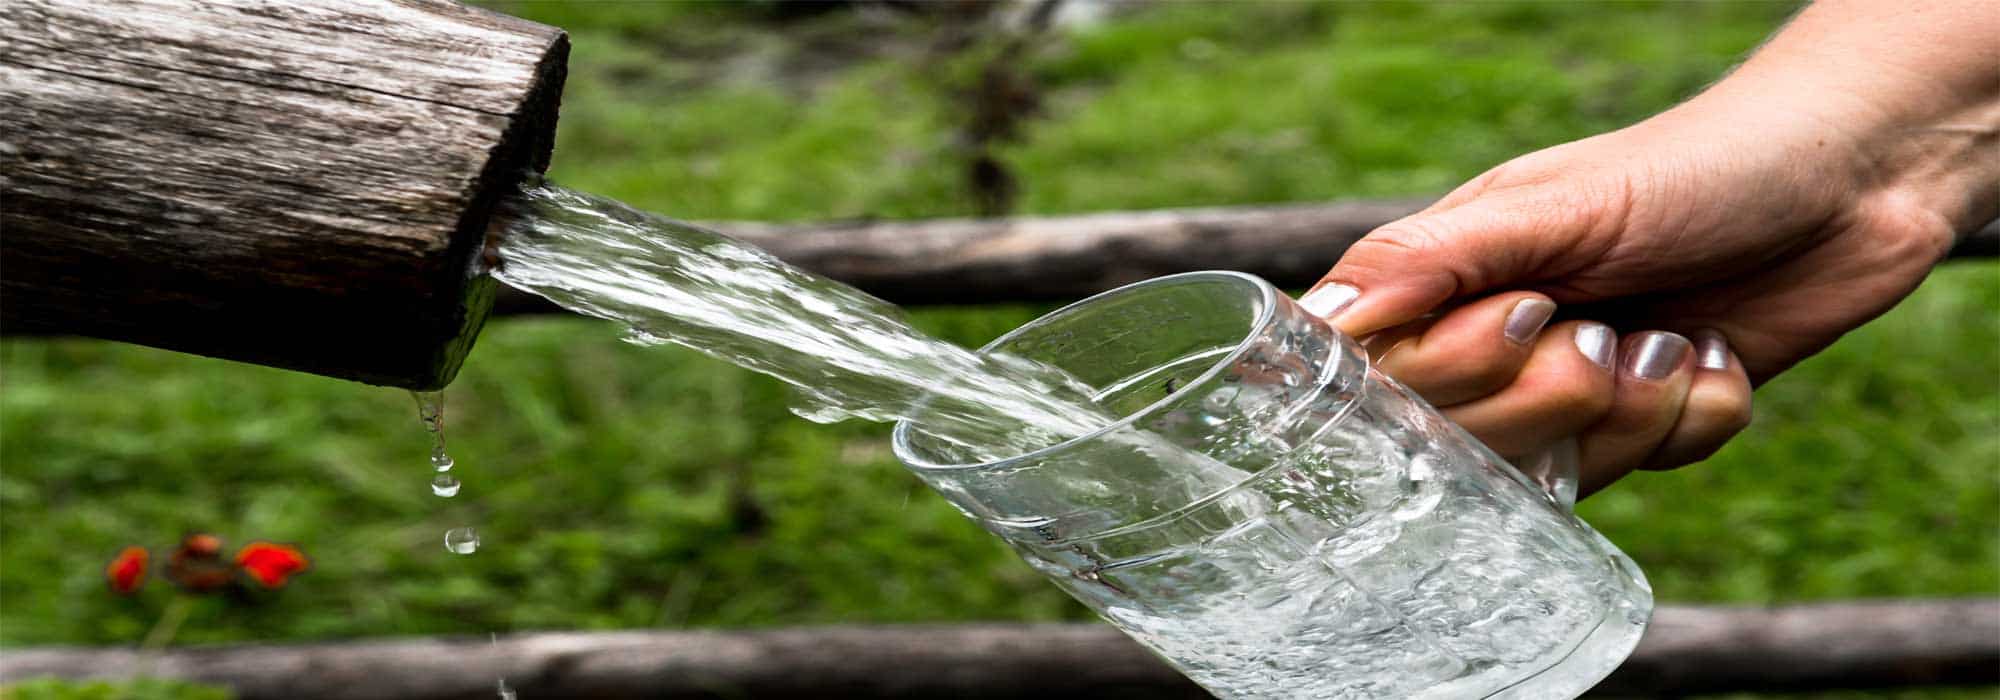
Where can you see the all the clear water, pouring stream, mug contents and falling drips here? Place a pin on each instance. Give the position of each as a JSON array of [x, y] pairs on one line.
[[1269, 613]]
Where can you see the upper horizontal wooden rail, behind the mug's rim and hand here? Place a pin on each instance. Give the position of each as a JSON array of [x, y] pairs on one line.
[[1029, 259]]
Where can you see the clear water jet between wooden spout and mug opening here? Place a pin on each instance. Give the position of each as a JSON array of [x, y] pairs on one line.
[[847, 353]]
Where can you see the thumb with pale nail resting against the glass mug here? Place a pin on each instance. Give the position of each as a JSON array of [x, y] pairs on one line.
[[1411, 267]]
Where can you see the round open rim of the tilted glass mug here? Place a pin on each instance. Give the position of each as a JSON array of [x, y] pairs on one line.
[[1267, 313]]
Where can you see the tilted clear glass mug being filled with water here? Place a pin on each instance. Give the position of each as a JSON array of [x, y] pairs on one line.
[[1281, 521]]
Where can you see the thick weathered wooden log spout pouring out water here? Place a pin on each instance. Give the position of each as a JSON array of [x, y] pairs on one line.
[[301, 183]]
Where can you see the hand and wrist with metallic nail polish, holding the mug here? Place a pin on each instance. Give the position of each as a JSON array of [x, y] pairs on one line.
[[1763, 219]]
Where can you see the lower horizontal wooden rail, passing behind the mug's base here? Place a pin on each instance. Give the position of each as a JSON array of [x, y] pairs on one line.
[[1687, 651]]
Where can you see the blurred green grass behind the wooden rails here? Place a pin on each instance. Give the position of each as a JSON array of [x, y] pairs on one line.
[[623, 487]]
